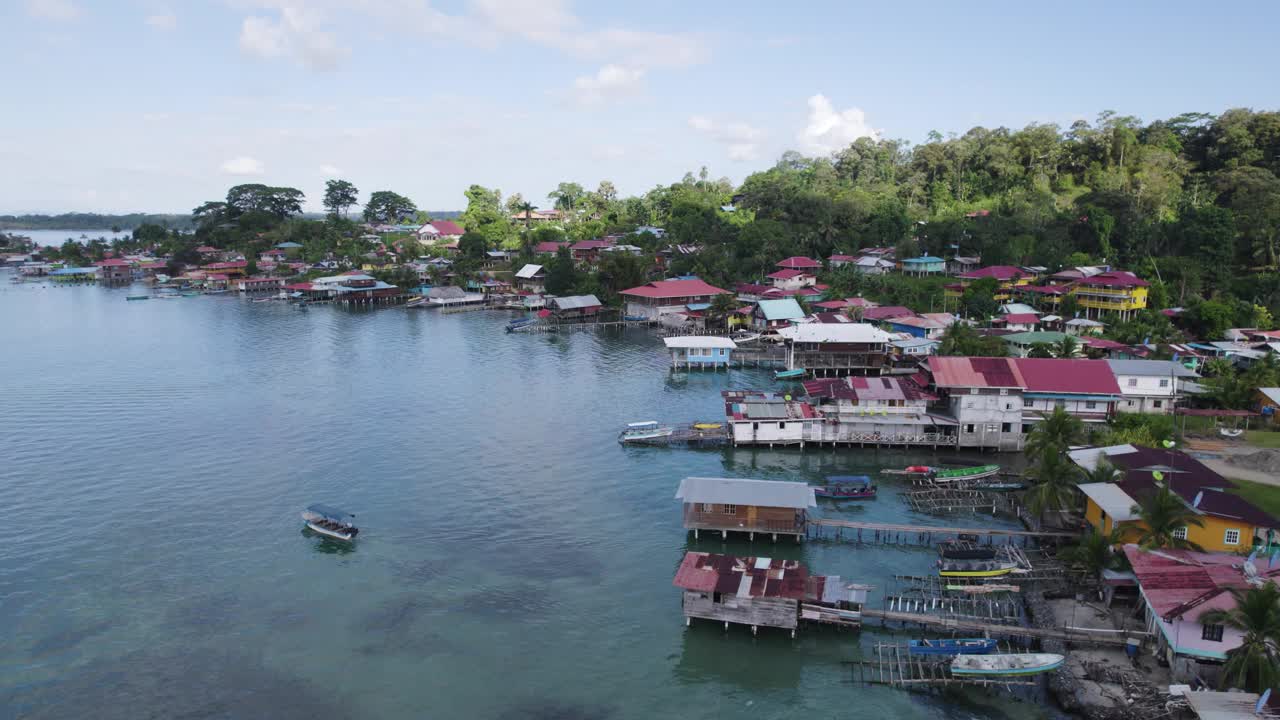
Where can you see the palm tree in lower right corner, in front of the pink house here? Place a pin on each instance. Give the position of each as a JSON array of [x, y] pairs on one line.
[[1255, 666]]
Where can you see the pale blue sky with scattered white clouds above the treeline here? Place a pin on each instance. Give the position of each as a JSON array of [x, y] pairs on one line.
[[159, 106]]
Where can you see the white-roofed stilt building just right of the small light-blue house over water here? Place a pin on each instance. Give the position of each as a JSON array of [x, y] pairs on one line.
[[836, 349]]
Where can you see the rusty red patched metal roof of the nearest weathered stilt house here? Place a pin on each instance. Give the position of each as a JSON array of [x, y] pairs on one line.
[[706, 572]]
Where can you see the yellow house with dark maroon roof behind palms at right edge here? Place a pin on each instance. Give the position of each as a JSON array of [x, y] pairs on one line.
[[1229, 522]]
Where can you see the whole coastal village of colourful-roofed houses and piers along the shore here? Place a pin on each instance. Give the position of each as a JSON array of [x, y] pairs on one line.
[[856, 373]]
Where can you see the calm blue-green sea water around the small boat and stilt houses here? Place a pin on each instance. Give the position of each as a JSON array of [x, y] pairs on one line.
[[515, 560]]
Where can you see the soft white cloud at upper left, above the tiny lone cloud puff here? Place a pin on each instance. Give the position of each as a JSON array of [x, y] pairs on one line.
[[298, 33]]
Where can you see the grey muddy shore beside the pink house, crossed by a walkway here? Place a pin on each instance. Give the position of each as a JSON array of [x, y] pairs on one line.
[[1105, 695]]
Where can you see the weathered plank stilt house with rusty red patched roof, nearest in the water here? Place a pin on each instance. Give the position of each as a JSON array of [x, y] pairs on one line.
[[765, 593]]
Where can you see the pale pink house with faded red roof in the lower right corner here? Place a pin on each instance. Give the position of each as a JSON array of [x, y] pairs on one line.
[[1178, 587]]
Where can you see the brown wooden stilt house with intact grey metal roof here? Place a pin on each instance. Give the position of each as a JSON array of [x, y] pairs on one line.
[[728, 505]]
